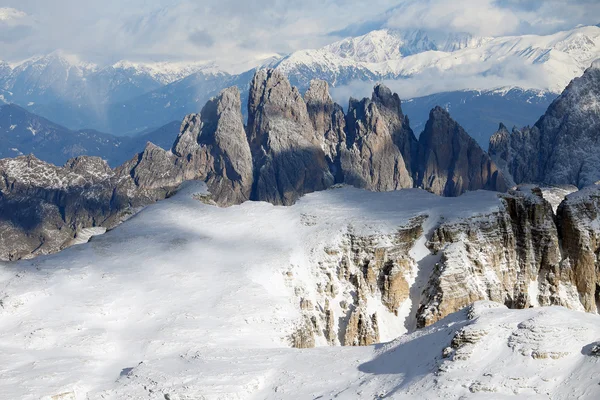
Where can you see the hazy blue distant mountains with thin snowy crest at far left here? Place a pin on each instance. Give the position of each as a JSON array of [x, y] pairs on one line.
[[76, 94]]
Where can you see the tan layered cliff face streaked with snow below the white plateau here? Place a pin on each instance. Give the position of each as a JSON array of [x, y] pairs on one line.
[[379, 285]]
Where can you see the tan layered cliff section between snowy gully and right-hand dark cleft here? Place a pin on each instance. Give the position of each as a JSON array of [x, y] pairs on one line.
[[498, 257]]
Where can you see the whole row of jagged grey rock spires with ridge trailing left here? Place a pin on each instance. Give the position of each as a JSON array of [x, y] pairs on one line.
[[291, 146]]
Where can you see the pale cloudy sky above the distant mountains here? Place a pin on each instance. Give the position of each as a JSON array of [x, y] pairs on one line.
[[230, 31]]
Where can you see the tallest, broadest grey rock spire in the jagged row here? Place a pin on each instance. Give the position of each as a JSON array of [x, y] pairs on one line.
[[287, 154]]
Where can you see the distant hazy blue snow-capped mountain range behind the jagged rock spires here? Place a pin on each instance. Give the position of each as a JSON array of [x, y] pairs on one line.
[[503, 76]]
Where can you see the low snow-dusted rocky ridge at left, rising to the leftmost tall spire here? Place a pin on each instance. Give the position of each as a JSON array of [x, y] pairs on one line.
[[44, 206]]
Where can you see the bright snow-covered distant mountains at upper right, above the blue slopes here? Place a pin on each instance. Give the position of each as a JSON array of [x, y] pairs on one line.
[[529, 62]]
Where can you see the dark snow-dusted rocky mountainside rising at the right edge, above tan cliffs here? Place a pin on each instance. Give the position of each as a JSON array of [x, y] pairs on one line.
[[562, 147]]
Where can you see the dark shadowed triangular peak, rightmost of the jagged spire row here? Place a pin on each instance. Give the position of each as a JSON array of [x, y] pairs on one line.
[[451, 162]]
